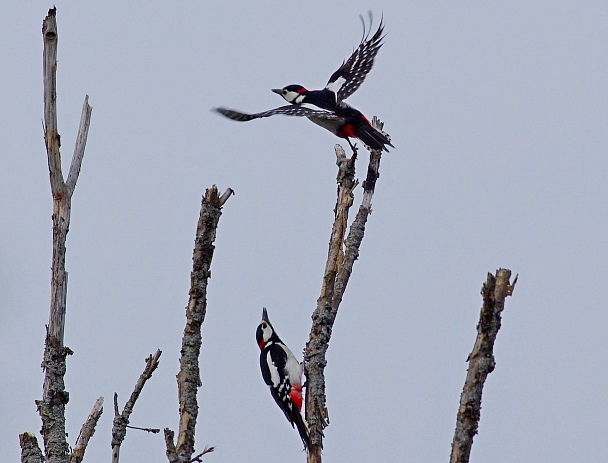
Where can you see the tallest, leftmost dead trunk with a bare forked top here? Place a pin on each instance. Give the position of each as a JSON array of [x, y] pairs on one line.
[[54, 397]]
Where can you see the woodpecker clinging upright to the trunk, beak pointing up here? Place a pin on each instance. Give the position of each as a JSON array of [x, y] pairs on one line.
[[283, 374]]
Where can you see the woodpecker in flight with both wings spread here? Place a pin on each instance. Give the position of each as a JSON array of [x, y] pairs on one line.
[[334, 115]]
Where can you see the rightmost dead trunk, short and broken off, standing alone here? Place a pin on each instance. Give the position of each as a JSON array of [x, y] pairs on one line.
[[481, 362]]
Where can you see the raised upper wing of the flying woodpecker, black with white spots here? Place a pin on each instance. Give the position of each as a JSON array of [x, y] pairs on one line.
[[353, 71]]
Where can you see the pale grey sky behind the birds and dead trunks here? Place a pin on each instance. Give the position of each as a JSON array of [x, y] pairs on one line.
[[498, 112]]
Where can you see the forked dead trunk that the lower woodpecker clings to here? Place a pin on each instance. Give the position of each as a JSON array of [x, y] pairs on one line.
[[340, 259]]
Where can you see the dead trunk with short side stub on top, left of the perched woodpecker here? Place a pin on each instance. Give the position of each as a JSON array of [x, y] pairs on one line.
[[188, 378]]
